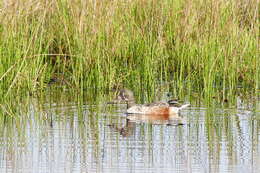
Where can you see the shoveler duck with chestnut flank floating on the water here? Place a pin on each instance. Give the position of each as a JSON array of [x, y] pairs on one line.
[[158, 108]]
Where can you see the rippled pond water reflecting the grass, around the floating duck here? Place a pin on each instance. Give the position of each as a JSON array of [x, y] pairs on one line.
[[60, 136]]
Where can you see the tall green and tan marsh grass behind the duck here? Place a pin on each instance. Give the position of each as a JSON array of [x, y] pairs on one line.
[[205, 45]]
